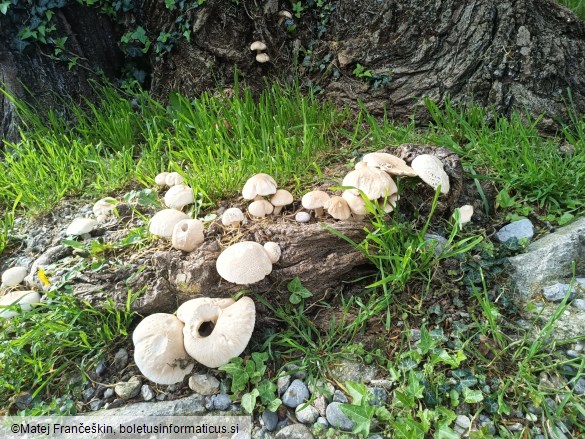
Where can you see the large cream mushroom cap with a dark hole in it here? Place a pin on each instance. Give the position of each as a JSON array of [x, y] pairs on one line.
[[213, 336]]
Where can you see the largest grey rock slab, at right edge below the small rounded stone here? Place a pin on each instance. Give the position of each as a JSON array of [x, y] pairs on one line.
[[549, 259]]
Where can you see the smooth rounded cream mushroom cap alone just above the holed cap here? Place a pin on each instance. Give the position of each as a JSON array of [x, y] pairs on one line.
[[244, 263]]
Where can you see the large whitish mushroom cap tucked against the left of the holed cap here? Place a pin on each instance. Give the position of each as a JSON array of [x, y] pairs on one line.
[[159, 352]]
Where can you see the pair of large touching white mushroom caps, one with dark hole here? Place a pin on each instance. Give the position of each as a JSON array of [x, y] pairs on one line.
[[210, 331]]
